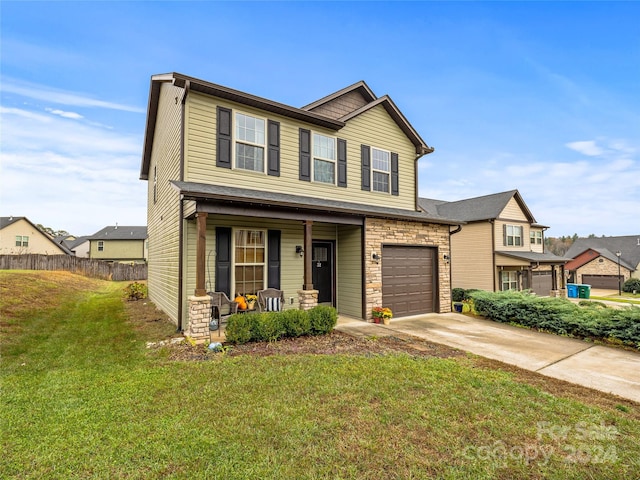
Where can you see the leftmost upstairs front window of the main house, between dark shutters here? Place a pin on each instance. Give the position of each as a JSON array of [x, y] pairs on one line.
[[250, 142]]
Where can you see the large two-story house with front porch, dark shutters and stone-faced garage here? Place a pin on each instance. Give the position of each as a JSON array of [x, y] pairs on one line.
[[245, 193]]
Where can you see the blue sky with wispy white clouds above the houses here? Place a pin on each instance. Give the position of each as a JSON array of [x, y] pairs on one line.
[[543, 97]]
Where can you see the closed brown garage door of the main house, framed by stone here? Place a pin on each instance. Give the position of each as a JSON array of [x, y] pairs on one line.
[[408, 279]]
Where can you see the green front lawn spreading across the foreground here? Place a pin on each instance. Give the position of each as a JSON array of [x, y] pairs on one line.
[[82, 398]]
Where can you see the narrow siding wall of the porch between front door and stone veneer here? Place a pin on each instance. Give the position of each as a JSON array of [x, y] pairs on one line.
[[349, 271]]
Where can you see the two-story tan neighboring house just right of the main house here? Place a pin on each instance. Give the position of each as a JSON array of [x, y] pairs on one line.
[[501, 247]]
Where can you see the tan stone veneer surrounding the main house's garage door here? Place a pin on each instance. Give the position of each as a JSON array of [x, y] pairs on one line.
[[380, 232]]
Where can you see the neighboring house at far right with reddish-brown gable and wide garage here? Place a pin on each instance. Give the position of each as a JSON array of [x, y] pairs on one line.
[[595, 261]]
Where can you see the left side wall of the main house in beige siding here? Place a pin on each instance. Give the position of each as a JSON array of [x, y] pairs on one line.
[[163, 217]]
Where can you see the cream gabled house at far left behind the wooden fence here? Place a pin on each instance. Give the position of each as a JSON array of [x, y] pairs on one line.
[[18, 236]]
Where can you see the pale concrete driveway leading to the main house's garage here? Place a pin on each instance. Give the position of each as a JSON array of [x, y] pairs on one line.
[[602, 368]]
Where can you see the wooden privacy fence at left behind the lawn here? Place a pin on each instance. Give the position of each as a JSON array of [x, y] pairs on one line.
[[84, 266]]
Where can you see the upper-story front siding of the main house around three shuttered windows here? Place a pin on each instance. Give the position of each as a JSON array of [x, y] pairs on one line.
[[373, 127]]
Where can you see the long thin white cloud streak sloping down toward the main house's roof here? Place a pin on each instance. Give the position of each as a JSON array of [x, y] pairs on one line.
[[62, 97]]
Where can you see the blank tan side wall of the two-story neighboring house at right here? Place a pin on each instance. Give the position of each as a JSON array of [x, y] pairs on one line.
[[472, 257]]
